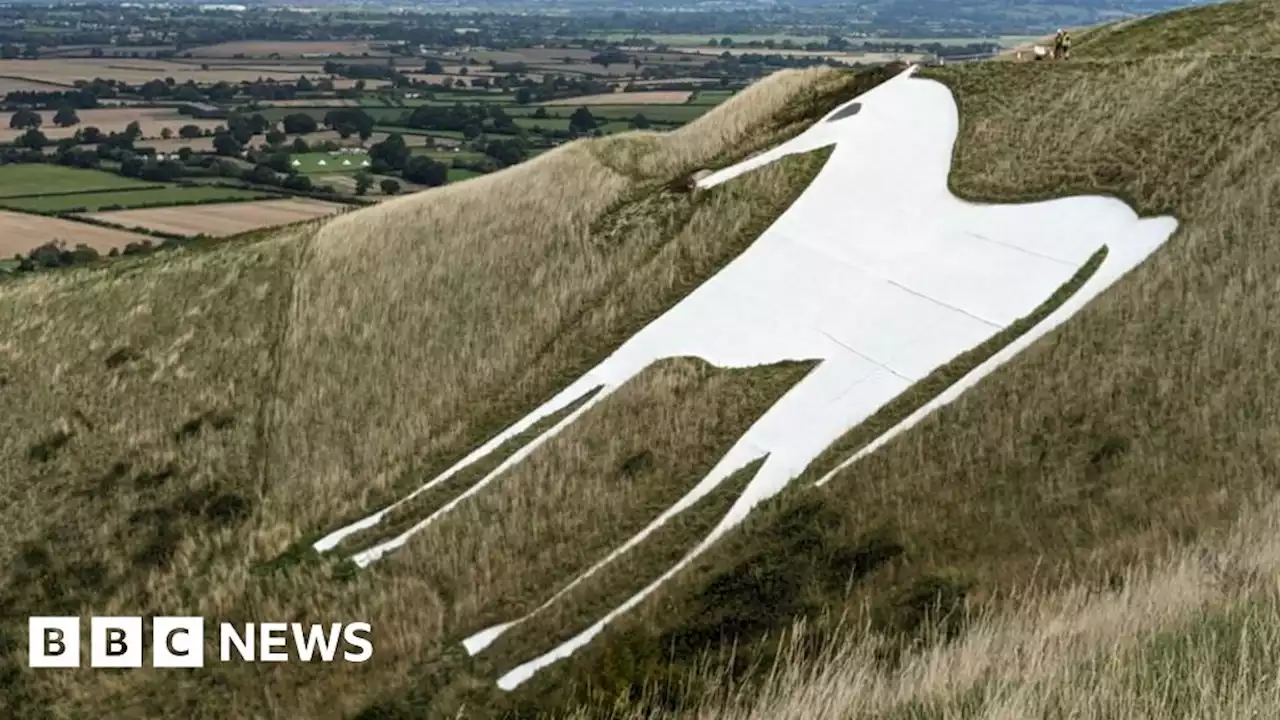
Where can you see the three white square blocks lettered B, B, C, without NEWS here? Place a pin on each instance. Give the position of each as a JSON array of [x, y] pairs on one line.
[[116, 642]]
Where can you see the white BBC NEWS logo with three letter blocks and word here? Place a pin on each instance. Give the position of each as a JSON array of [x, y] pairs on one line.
[[180, 642]]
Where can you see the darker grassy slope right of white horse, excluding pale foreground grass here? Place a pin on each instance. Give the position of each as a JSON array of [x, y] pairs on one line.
[[1145, 423]]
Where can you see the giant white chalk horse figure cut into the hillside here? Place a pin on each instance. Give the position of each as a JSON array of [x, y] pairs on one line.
[[879, 272]]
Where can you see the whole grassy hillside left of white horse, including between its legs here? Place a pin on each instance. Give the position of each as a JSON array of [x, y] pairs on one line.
[[177, 430]]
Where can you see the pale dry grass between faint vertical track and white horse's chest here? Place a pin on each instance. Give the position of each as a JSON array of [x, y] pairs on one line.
[[532, 270]]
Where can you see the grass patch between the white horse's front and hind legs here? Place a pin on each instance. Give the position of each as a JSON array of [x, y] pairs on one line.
[[616, 481]]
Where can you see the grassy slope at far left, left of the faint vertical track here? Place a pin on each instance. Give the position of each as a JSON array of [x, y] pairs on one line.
[[116, 362]]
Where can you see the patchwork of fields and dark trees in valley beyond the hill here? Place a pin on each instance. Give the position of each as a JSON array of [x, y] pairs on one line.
[[252, 122]]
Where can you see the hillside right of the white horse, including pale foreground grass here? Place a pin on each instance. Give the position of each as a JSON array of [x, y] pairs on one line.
[[1148, 423]]
